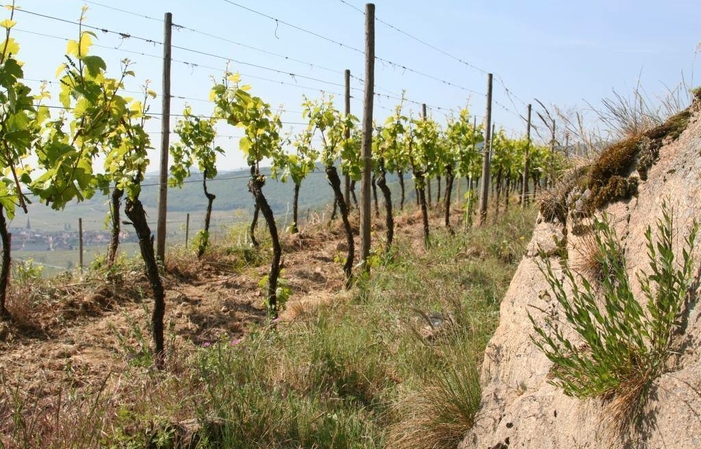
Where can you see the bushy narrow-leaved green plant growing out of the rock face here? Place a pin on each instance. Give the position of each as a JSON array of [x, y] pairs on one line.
[[623, 346]]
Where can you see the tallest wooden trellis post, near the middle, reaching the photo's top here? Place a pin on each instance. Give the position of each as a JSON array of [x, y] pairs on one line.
[[366, 148]]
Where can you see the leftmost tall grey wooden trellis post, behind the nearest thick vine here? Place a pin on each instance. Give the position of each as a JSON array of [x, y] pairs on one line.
[[165, 142]]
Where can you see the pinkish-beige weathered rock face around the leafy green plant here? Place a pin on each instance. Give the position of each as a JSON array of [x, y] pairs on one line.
[[519, 407]]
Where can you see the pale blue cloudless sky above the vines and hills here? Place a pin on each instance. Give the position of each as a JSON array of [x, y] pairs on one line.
[[565, 53]]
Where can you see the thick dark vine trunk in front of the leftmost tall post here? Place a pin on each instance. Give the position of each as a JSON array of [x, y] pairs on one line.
[[135, 211]]
